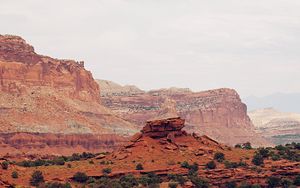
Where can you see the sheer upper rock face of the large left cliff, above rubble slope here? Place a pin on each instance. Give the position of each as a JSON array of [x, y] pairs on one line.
[[21, 68]]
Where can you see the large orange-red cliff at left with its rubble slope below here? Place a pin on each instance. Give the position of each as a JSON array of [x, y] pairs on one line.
[[46, 95]]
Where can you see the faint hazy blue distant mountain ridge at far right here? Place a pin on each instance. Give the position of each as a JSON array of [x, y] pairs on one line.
[[285, 102]]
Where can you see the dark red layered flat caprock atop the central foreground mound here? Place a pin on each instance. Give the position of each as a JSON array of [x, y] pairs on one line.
[[164, 127]]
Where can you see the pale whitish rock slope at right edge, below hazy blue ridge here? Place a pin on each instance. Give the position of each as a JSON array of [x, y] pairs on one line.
[[279, 127]]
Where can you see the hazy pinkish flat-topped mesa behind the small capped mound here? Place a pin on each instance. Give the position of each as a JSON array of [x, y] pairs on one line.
[[218, 113]]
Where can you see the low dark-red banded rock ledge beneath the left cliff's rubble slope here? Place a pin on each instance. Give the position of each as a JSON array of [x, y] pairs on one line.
[[14, 144]]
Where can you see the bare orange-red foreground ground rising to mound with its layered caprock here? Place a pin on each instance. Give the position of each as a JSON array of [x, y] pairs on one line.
[[160, 147]]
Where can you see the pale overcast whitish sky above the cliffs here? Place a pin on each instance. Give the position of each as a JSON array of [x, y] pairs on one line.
[[252, 46]]
